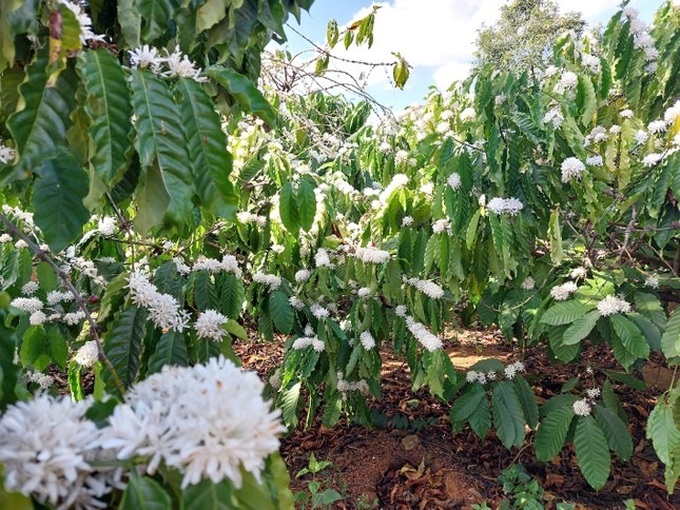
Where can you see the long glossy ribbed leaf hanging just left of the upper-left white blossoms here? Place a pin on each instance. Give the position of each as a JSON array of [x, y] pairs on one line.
[[109, 110]]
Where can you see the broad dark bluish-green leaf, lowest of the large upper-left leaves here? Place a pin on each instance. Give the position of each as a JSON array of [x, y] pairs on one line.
[[58, 200]]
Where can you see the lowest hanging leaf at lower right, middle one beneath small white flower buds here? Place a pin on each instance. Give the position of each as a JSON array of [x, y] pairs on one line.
[[592, 452]]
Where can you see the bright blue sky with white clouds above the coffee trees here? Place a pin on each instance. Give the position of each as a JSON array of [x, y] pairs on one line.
[[435, 36]]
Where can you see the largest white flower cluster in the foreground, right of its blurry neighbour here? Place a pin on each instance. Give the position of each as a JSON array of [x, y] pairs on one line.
[[208, 421]]
